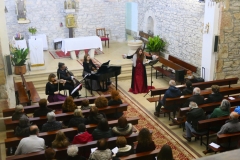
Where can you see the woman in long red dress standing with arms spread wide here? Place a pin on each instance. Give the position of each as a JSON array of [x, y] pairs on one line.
[[139, 76]]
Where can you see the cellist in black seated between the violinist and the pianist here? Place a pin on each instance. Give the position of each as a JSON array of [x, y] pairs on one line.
[[63, 73]]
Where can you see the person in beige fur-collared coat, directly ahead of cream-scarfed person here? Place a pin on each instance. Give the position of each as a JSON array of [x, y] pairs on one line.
[[124, 128]]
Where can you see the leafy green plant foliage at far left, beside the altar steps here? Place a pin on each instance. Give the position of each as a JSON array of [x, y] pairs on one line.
[[19, 56]]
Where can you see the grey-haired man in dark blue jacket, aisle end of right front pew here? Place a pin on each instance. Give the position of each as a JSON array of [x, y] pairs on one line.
[[172, 92]]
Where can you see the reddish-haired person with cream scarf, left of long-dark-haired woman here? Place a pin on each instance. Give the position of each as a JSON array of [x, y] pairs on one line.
[[123, 148]]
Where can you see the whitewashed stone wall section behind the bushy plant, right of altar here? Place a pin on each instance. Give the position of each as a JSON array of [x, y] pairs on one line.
[[179, 22]]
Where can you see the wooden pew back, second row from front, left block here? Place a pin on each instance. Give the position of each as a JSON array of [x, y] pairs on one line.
[[65, 116]]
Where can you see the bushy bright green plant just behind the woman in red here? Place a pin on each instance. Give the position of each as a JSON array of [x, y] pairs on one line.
[[155, 45]]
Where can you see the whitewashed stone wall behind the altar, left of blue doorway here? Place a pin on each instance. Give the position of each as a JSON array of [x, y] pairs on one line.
[[46, 16]]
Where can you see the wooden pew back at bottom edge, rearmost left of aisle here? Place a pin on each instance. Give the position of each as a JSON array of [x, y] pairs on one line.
[[142, 156]]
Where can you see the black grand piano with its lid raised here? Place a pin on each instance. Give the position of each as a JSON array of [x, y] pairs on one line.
[[104, 73]]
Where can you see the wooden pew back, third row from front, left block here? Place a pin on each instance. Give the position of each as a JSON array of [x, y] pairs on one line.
[[69, 132]]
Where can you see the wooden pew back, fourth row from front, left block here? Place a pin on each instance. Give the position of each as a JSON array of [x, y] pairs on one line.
[[82, 148]]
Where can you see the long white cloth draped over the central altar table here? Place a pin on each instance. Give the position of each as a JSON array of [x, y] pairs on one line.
[[81, 43]]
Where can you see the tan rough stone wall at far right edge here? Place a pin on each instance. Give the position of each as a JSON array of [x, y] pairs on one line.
[[229, 47]]
